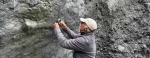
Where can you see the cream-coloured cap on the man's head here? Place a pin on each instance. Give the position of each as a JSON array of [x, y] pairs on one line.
[[91, 23]]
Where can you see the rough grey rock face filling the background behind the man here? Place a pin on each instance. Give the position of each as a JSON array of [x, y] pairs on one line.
[[26, 32]]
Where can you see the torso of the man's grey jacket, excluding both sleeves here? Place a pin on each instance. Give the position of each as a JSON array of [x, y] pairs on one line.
[[90, 49]]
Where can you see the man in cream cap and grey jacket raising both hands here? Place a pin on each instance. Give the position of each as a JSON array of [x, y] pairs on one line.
[[83, 44]]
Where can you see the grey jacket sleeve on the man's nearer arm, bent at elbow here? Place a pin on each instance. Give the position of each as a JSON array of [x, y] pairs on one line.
[[77, 44]]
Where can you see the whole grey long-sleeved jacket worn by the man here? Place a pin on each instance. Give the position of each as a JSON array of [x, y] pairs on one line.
[[84, 46]]
